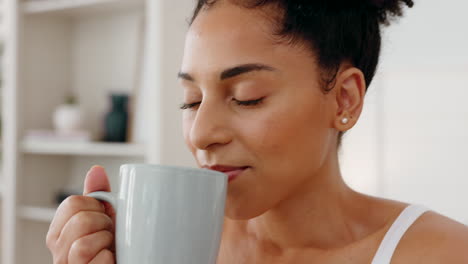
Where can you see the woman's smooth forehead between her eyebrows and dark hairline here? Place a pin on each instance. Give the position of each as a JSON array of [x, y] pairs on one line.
[[226, 34]]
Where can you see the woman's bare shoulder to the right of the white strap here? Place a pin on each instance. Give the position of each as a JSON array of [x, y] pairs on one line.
[[433, 238]]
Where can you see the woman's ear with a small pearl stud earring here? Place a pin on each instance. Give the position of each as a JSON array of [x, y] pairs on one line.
[[350, 91]]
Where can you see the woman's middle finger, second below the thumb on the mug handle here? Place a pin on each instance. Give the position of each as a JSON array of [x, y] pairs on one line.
[[80, 225]]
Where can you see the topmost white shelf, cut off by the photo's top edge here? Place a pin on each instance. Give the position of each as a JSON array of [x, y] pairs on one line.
[[73, 8]]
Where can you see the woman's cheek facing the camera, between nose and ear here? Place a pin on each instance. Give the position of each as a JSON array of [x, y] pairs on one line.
[[299, 135]]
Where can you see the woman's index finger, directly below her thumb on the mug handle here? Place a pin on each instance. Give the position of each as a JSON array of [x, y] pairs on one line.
[[67, 209]]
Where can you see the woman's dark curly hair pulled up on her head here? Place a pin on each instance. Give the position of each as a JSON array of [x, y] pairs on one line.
[[336, 31]]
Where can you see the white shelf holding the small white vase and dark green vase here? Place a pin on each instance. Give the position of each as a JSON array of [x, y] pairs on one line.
[[83, 149]]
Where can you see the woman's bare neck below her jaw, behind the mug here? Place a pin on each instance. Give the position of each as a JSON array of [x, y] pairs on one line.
[[323, 213]]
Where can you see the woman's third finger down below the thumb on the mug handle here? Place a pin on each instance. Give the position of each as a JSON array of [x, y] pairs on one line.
[[85, 249]]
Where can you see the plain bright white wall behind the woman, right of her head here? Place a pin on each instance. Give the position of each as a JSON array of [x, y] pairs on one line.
[[415, 113]]
